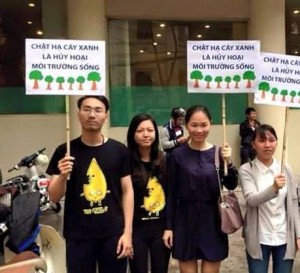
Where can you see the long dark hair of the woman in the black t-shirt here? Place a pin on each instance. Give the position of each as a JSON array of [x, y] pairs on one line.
[[157, 164]]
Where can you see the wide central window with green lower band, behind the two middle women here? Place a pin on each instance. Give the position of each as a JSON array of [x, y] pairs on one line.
[[148, 69]]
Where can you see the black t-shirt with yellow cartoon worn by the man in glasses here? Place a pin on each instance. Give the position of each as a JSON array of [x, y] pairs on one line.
[[93, 197]]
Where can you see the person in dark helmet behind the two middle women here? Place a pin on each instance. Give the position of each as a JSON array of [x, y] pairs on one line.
[[172, 133]]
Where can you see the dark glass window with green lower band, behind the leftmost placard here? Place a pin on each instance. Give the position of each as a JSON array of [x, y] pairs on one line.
[[20, 19]]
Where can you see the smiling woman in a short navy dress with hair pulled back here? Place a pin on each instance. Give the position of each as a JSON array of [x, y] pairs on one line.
[[193, 222]]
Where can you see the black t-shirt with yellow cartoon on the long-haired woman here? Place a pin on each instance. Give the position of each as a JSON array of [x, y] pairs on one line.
[[149, 198]]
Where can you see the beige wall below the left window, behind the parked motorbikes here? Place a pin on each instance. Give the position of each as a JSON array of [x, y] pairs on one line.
[[23, 135]]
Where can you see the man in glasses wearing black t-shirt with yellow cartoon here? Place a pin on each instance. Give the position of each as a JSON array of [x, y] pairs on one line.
[[98, 194]]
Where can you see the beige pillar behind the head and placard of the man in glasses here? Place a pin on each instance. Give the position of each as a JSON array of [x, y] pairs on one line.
[[86, 21]]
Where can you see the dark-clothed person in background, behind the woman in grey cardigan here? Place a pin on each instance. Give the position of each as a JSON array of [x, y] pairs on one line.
[[247, 129]]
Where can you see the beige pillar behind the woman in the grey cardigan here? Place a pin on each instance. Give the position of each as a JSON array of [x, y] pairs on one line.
[[267, 24]]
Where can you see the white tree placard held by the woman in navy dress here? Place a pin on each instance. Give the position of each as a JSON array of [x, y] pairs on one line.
[[222, 66]]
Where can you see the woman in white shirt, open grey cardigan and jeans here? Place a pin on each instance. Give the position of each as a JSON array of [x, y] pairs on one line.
[[272, 225]]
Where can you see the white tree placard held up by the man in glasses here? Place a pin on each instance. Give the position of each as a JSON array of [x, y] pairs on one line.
[[65, 67]]
